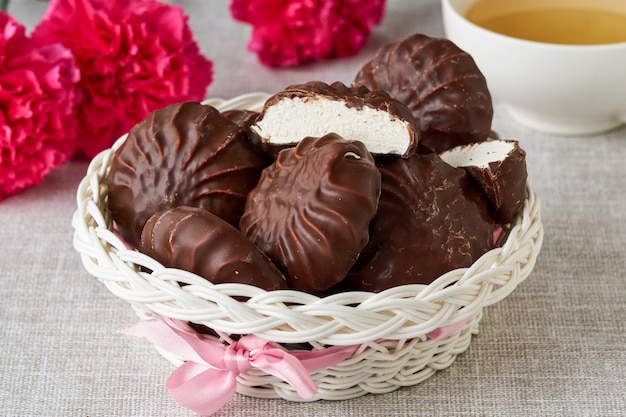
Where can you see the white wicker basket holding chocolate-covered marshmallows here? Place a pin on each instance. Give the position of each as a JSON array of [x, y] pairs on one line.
[[390, 327]]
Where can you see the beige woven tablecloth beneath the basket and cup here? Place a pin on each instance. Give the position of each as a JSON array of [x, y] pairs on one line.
[[555, 346]]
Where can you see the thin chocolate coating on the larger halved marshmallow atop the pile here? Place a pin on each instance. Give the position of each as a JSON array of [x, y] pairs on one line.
[[356, 97]]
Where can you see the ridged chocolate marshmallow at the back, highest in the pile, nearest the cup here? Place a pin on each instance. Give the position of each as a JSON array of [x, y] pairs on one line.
[[440, 83]]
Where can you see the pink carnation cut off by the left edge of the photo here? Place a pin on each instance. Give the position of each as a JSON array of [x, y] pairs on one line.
[[37, 98]]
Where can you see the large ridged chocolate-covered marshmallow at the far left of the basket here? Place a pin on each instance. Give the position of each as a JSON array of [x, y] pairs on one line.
[[183, 154]]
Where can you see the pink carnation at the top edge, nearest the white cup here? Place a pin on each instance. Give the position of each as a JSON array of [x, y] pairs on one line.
[[292, 32]]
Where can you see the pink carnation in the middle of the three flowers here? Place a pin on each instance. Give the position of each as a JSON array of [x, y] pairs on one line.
[[135, 56]]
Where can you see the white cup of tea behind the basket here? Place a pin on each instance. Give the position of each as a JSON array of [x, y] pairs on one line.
[[553, 88]]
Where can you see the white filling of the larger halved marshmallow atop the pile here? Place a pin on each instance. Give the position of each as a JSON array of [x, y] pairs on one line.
[[291, 119]]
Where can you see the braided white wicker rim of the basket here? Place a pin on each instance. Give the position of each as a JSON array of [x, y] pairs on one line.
[[290, 316]]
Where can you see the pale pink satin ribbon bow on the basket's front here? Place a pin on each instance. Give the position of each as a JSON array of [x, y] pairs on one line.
[[207, 380]]
